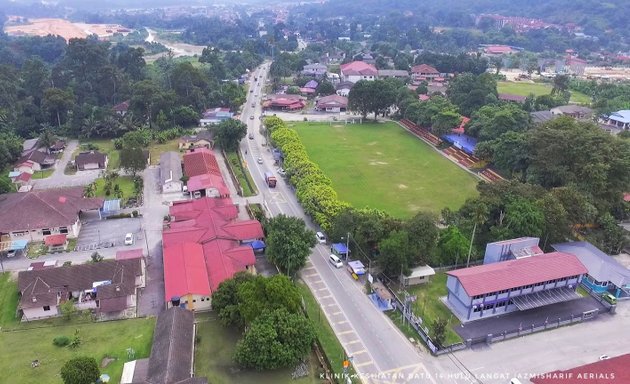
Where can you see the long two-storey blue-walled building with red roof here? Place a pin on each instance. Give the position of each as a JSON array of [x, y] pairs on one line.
[[515, 285]]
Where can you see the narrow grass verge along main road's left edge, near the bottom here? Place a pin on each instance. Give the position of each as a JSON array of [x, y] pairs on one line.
[[325, 334]]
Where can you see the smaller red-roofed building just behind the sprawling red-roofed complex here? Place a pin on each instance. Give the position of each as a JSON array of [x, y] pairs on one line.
[[204, 175]]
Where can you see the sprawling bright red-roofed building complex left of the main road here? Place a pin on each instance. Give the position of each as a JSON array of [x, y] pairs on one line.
[[204, 245]]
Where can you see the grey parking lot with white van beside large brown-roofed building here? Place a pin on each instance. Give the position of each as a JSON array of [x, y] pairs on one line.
[[97, 234]]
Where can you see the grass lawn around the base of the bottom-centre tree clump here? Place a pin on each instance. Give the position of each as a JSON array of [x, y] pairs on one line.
[[213, 357]]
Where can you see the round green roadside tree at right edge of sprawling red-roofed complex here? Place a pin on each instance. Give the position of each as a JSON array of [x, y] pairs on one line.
[[289, 243]]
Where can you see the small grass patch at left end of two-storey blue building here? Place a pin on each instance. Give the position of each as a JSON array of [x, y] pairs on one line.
[[429, 307]]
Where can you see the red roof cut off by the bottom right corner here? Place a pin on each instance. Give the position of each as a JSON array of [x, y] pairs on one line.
[[610, 371]]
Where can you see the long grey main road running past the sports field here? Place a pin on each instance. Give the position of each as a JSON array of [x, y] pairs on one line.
[[379, 350]]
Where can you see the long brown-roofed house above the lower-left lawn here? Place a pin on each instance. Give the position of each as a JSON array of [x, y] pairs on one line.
[[108, 287]]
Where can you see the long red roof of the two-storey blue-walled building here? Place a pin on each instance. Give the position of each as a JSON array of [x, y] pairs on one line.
[[515, 273]]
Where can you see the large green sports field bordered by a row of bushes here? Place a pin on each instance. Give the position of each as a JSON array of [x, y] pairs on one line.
[[380, 165]]
